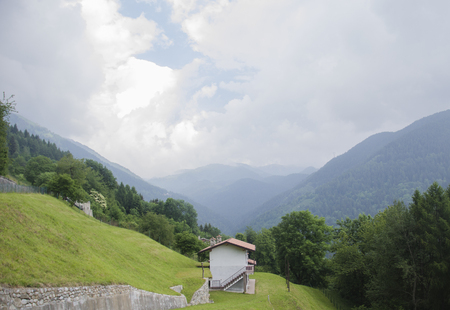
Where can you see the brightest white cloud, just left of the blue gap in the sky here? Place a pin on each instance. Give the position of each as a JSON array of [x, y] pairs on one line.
[[130, 83]]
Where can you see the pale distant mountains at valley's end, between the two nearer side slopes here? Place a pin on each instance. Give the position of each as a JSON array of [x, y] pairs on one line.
[[232, 191]]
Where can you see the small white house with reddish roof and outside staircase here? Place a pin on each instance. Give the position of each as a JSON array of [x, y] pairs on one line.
[[229, 265]]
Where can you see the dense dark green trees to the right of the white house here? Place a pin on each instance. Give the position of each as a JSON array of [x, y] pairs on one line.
[[397, 259]]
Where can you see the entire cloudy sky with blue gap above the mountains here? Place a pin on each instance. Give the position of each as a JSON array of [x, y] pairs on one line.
[[163, 85]]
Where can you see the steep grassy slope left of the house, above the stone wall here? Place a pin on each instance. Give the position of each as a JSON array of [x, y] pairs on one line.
[[45, 242]]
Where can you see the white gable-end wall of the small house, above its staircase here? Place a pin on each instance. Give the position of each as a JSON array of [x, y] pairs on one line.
[[225, 260]]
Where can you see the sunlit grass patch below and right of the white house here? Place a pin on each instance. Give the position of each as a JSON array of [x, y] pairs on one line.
[[300, 297]]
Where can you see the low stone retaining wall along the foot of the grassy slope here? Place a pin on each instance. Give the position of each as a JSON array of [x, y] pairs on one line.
[[111, 297]]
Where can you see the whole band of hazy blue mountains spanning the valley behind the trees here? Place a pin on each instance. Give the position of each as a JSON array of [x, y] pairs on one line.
[[385, 167]]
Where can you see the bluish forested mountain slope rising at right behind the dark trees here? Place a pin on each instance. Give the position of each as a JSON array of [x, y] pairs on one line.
[[383, 168]]
